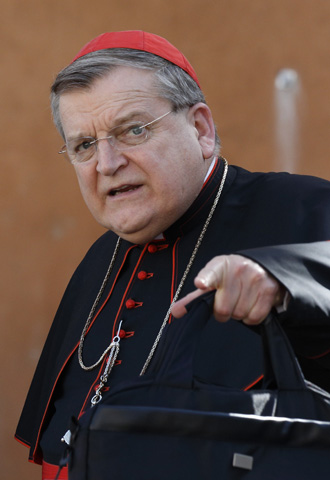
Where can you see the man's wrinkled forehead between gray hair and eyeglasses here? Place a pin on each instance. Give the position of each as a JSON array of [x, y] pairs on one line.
[[118, 96]]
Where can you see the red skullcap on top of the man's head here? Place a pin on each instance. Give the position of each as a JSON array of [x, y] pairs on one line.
[[139, 40]]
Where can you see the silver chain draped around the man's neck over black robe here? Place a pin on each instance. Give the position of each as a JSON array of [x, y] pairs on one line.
[[115, 343]]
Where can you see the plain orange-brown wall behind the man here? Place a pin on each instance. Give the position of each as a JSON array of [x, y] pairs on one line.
[[236, 47]]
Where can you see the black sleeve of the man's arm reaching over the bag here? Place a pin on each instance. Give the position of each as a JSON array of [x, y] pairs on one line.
[[304, 270]]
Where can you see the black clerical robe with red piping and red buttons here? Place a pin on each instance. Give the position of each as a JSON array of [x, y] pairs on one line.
[[281, 221]]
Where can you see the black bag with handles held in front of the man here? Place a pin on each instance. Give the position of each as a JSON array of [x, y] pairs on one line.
[[170, 426]]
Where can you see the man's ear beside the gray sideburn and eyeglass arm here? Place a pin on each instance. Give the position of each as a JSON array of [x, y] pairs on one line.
[[202, 119]]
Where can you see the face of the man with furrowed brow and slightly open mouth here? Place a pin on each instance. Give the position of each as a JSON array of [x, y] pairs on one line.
[[140, 191]]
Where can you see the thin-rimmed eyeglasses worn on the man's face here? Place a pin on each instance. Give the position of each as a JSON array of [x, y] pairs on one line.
[[130, 134]]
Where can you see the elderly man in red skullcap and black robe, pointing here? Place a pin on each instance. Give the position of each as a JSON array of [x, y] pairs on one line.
[[180, 221]]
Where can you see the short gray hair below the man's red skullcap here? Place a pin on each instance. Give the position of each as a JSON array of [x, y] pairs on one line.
[[173, 83]]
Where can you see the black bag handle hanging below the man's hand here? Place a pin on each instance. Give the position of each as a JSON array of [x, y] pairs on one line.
[[174, 362]]
